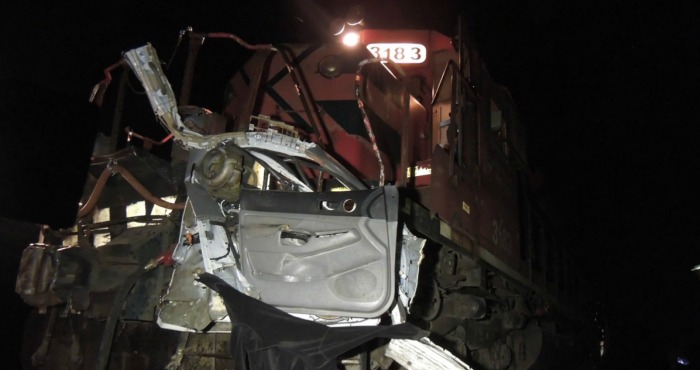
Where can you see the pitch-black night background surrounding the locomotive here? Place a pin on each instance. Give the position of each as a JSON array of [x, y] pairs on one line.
[[608, 91]]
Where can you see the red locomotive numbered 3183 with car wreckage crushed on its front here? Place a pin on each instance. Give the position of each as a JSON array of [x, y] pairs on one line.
[[362, 204]]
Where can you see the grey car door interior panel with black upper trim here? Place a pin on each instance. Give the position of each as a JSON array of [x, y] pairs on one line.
[[321, 253]]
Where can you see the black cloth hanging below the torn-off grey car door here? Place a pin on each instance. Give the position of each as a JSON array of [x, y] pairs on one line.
[[264, 337]]
